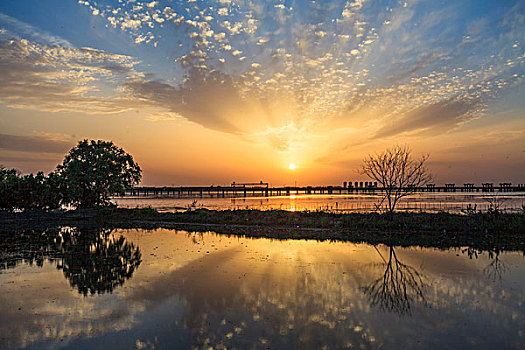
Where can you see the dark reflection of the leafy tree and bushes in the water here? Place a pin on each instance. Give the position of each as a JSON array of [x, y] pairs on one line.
[[93, 260]]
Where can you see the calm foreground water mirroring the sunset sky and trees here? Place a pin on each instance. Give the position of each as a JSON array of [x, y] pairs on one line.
[[87, 288]]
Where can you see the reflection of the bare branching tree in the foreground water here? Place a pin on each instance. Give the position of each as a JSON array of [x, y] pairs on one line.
[[399, 286]]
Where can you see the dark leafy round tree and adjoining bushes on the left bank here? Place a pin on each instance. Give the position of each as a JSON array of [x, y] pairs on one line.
[[90, 174]]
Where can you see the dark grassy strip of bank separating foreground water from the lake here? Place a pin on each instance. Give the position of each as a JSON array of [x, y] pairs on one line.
[[442, 230]]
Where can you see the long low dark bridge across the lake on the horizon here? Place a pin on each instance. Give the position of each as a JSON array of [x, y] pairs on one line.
[[263, 190]]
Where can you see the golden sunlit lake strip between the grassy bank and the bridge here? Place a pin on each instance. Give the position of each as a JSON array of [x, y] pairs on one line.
[[454, 202]]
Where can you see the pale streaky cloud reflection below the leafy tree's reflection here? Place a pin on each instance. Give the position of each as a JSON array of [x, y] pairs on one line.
[[52, 313]]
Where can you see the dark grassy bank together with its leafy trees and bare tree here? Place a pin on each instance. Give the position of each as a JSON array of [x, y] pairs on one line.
[[93, 171]]
